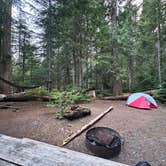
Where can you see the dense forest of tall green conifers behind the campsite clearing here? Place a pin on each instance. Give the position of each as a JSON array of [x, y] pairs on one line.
[[118, 45]]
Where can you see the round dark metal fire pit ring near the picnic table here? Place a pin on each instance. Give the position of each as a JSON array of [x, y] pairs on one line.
[[104, 142]]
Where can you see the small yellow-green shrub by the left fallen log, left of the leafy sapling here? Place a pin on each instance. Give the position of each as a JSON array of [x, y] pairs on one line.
[[40, 91]]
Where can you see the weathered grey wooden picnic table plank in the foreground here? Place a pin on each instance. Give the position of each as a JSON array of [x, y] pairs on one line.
[[28, 152]]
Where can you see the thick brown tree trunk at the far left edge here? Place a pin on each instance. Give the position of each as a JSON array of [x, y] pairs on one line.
[[5, 47]]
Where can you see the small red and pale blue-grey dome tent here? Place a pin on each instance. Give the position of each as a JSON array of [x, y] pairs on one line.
[[141, 100]]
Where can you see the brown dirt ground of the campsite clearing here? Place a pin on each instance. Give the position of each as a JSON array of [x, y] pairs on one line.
[[144, 131]]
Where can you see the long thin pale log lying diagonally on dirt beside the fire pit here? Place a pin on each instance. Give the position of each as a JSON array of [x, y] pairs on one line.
[[71, 137]]
